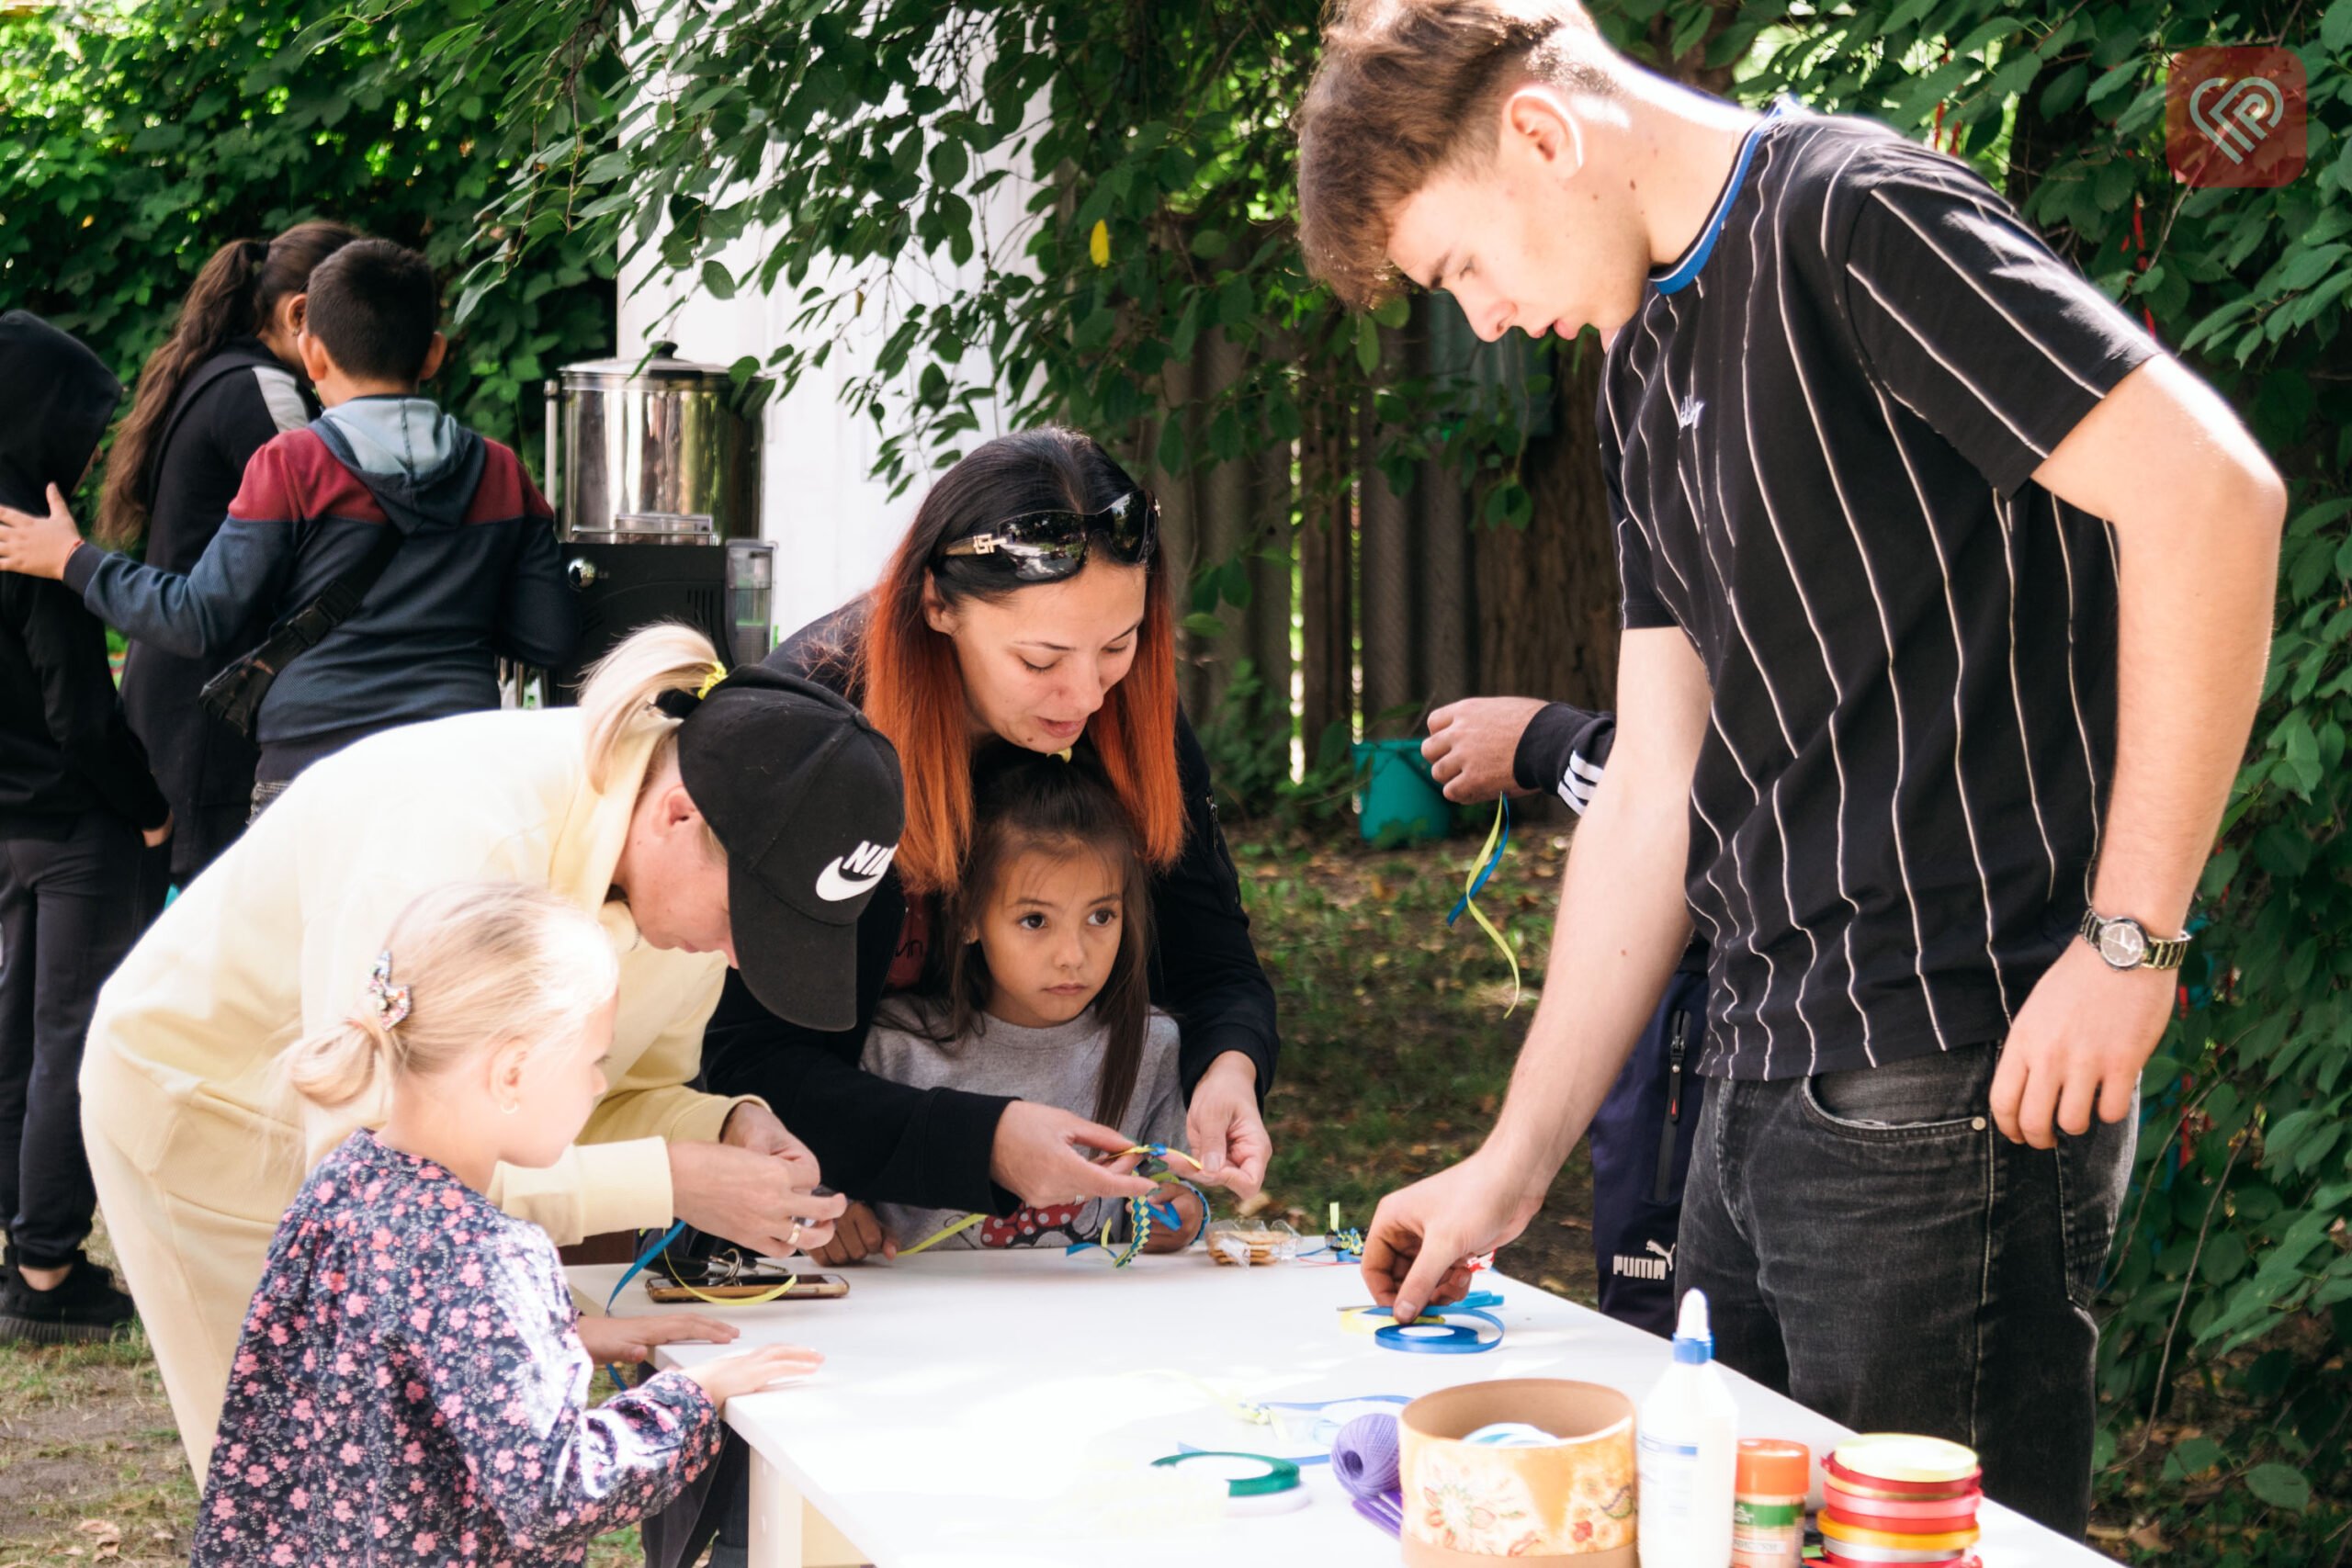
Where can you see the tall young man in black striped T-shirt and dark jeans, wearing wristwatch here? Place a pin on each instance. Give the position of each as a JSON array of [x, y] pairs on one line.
[[1946, 615]]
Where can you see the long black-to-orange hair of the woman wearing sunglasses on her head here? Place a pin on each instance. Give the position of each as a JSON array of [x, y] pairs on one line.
[[916, 690]]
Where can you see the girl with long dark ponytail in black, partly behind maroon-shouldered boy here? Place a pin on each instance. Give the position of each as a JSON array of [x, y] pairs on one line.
[[218, 391]]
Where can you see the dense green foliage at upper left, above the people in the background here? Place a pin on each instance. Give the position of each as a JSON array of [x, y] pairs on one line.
[[135, 140]]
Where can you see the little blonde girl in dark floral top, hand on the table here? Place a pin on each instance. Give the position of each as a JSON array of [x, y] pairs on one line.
[[410, 1386]]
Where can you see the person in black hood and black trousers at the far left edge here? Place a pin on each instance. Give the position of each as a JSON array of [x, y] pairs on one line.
[[76, 803]]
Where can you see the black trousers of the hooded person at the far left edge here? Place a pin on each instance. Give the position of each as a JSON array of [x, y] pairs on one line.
[[69, 913]]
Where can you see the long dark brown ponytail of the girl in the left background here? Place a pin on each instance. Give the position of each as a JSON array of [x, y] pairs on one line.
[[234, 297]]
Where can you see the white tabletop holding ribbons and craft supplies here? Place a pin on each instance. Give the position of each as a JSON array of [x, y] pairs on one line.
[[977, 1407]]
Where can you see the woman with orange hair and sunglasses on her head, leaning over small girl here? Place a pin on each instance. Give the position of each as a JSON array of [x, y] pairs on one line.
[[1027, 603]]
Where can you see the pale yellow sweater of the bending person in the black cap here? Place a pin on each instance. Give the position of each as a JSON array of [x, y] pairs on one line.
[[274, 944]]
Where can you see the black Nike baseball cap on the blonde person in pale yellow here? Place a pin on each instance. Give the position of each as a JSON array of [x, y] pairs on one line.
[[808, 800]]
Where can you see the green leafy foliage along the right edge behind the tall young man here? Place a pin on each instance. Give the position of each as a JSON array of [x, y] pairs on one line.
[[2238, 1224]]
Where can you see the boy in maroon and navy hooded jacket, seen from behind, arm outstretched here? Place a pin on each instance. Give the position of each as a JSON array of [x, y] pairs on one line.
[[474, 575]]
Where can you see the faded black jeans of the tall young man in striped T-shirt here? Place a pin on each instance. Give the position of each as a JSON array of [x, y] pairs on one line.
[[1876, 1249]]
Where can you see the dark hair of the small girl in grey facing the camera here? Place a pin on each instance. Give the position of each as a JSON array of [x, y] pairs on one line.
[[1064, 808]]
